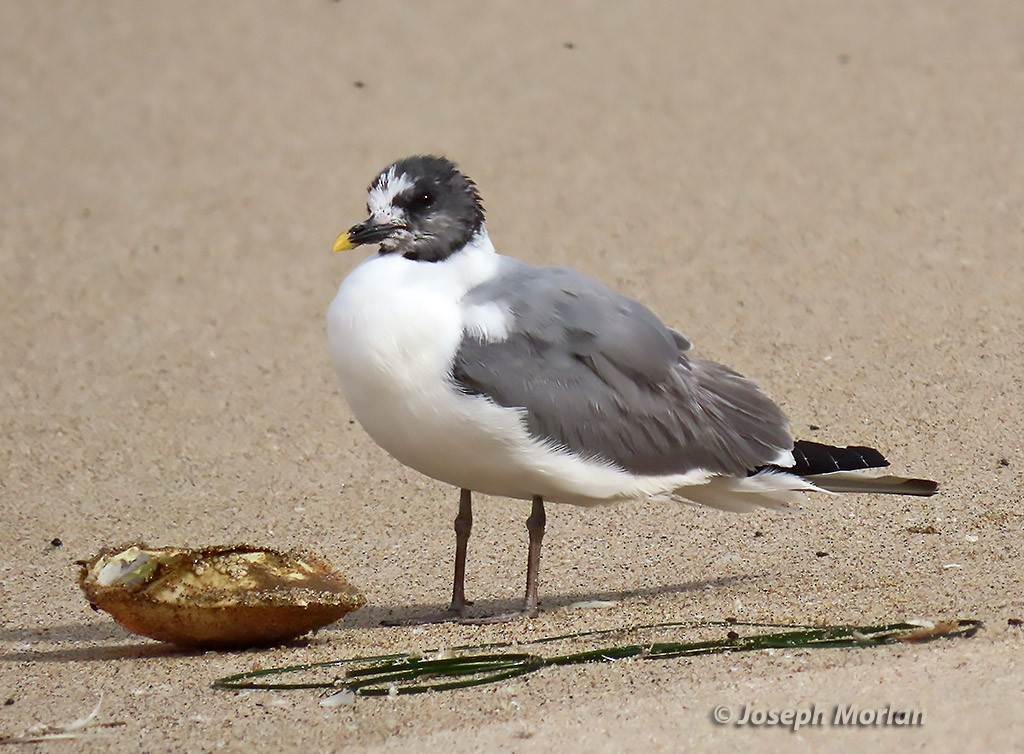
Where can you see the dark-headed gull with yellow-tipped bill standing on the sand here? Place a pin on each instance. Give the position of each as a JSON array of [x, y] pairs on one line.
[[544, 385]]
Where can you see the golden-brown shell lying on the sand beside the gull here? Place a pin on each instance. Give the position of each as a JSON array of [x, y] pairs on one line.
[[225, 597]]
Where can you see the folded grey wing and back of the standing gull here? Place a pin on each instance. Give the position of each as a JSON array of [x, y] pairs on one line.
[[600, 374]]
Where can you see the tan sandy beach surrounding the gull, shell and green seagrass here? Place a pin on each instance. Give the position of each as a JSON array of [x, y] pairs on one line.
[[827, 196]]
